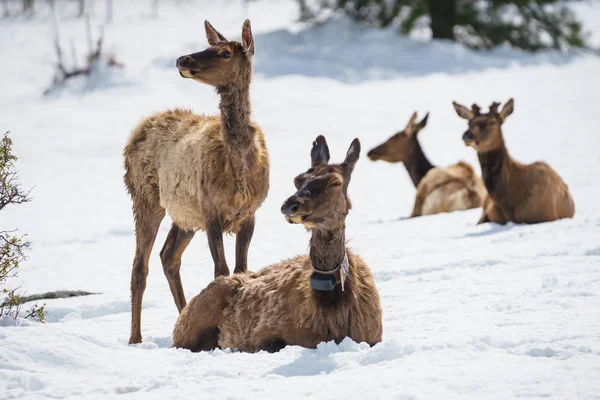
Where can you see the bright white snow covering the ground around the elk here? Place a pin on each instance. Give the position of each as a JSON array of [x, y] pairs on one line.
[[469, 311]]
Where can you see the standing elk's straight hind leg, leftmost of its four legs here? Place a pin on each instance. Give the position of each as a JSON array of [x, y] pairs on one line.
[[147, 221]]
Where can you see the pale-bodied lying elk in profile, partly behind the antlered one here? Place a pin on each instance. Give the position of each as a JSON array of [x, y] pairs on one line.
[[439, 189]]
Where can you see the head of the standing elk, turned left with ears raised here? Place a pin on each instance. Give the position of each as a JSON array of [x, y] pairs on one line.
[[222, 63]]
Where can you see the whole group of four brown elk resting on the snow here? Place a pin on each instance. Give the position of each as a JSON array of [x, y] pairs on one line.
[[211, 173]]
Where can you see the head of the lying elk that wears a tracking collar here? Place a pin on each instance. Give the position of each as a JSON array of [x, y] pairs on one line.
[[321, 198]]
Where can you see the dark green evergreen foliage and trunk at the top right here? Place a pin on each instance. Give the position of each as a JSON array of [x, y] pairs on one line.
[[481, 24]]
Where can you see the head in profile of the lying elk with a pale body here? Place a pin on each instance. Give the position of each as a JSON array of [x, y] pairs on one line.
[[401, 146]]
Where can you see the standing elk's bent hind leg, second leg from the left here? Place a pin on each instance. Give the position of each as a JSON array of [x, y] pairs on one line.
[[170, 255]]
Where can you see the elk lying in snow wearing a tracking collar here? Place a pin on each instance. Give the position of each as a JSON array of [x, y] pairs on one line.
[[327, 295]]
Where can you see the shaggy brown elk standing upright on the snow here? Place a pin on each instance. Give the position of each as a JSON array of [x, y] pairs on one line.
[[210, 173]]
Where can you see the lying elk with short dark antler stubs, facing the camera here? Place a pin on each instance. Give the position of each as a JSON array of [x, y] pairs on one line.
[[517, 192]]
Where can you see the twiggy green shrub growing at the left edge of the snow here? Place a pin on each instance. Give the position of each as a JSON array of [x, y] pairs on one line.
[[12, 247]]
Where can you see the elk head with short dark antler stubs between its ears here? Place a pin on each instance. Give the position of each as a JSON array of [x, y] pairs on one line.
[[484, 133]]
